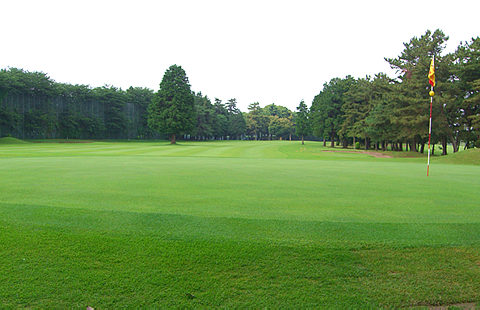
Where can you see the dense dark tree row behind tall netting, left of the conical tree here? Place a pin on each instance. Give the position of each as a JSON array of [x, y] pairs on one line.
[[34, 106]]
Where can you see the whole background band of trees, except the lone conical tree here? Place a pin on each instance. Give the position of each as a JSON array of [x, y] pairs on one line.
[[372, 112]]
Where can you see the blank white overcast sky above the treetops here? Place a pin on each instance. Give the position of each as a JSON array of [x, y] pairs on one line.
[[265, 51]]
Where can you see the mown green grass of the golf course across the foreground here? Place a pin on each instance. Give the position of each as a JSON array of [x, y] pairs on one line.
[[234, 224]]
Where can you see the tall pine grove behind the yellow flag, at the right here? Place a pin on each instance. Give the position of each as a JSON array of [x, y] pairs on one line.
[[378, 111]]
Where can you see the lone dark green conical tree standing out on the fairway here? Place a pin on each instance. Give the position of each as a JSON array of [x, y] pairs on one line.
[[171, 111]]
